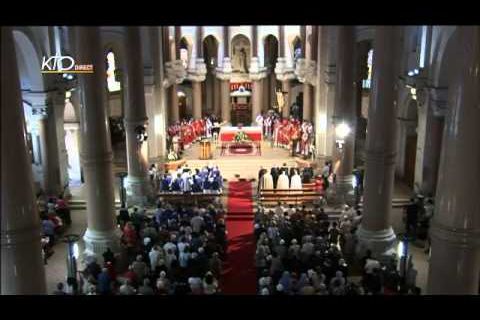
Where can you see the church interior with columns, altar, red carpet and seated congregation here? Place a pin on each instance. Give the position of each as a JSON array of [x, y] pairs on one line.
[[240, 160]]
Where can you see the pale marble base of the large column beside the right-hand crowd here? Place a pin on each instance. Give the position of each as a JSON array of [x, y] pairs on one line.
[[381, 243]]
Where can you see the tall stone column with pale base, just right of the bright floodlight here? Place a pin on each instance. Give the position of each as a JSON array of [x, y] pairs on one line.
[[375, 232]]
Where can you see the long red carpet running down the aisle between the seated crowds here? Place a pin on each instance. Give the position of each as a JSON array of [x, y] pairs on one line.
[[239, 270]]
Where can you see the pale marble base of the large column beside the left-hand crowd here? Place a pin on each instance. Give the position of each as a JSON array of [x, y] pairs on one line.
[[97, 242]]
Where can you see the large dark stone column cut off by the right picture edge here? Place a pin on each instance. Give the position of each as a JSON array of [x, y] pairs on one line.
[[455, 231]]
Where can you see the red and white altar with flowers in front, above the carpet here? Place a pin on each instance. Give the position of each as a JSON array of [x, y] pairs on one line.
[[251, 145]]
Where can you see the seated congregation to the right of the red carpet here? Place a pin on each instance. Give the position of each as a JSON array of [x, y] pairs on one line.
[[304, 252]]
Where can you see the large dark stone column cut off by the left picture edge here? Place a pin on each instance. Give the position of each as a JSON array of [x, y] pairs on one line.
[[23, 271]]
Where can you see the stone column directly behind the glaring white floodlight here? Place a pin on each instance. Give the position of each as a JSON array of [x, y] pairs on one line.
[[345, 113]]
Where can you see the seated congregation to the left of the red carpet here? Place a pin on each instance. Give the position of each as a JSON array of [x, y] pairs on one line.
[[177, 250]]
